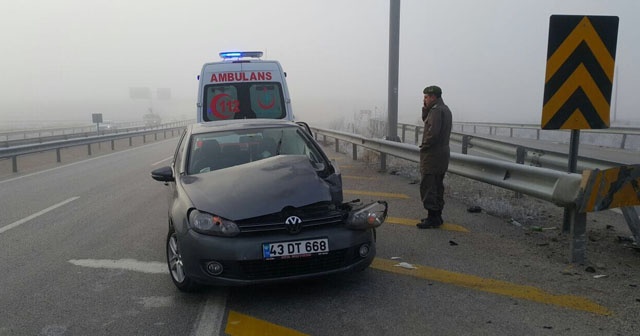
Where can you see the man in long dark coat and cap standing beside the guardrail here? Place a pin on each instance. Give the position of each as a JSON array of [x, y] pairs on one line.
[[434, 155]]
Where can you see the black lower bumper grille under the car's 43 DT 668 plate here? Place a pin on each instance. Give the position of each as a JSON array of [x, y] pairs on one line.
[[268, 269]]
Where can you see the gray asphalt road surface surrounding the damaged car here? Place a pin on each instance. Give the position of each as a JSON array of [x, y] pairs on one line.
[[82, 250]]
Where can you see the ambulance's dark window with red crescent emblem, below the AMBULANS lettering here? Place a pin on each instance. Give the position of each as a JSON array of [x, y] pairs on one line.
[[243, 101]]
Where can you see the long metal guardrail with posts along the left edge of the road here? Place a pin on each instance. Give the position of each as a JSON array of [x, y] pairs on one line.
[[14, 152]]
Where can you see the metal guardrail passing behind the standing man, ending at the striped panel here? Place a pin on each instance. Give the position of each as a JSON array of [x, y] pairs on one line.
[[560, 188]]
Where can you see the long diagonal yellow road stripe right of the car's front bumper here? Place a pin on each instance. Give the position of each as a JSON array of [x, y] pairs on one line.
[[493, 286]]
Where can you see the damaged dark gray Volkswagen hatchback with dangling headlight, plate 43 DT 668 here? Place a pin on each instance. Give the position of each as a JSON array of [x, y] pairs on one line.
[[257, 201]]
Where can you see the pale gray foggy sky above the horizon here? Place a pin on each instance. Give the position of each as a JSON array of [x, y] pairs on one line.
[[63, 60]]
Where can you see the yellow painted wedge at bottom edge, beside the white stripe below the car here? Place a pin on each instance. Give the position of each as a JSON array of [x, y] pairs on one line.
[[240, 324]]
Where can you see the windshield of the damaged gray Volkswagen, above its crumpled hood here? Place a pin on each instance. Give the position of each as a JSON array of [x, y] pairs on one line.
[[219, 150]]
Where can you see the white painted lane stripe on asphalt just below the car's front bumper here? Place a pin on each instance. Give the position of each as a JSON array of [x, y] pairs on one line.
[[211, 316]]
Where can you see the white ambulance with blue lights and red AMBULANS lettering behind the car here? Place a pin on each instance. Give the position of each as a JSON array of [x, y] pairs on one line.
[[242, 86]]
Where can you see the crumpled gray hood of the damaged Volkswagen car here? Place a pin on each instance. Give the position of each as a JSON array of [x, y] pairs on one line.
[[257, 188]]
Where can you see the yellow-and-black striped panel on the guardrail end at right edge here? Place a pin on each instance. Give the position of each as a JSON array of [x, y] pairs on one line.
[[611, 188]]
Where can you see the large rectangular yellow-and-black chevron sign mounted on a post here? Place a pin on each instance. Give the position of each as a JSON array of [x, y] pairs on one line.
[[579, 76]]
